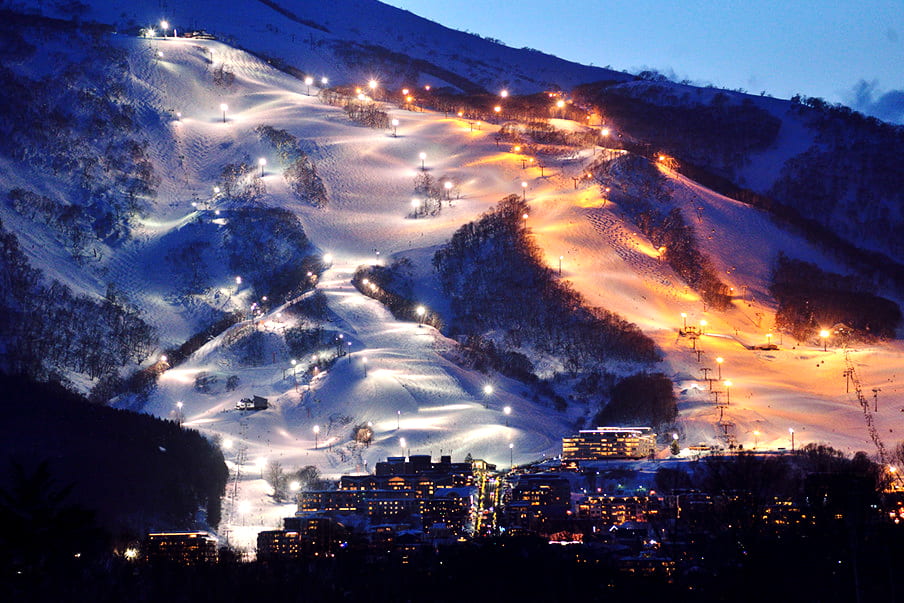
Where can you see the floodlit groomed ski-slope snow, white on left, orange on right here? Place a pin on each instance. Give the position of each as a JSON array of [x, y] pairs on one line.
[[412, 388]]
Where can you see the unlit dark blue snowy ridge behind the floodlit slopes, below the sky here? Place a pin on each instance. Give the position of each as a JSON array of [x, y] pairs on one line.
[[351, 41]]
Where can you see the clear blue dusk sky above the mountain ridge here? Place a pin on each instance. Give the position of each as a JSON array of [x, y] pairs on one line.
[[850, 52]]
